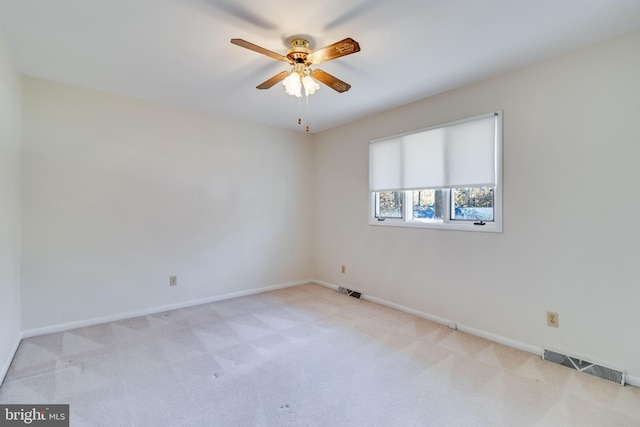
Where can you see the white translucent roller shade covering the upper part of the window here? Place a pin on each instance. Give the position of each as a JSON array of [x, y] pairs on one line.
[[459, 154]]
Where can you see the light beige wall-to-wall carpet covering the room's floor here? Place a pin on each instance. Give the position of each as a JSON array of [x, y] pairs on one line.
[[303, 356]]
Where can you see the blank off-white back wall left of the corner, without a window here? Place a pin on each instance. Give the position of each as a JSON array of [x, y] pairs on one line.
[[119, 194]]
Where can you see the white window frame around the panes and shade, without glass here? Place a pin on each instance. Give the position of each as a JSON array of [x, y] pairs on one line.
[[447, 223]]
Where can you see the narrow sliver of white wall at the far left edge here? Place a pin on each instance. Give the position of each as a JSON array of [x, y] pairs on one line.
[[10, 128]]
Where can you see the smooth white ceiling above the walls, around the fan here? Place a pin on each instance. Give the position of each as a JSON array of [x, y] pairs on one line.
[[178, 51]]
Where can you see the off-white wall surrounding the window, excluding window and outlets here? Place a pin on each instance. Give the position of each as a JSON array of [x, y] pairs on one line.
[[571, 151]]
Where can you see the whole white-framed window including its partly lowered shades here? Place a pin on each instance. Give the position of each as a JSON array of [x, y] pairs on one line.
[[447, 176]]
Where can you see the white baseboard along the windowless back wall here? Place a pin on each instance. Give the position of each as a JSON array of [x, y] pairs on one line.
[[62, 327]]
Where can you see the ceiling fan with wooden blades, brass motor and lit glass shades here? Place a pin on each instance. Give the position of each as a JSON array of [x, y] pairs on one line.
[[301, 57]]
